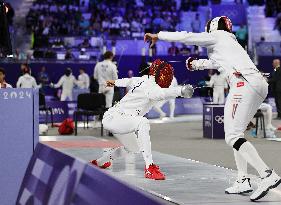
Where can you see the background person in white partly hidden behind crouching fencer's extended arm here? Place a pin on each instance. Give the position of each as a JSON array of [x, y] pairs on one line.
[[172, 103]]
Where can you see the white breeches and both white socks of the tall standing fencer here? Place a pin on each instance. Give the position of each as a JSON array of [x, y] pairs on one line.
[[243, 100]]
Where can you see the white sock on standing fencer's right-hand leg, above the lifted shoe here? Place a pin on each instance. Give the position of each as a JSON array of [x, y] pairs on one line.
[[250, 154]]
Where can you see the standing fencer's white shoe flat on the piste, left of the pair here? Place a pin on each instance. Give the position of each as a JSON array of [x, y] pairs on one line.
[[240, 187]]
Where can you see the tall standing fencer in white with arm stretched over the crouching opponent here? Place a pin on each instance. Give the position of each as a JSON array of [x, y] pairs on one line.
[[248, 89]]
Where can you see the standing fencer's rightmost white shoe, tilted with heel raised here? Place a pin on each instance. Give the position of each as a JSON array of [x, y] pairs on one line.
[[272, 180]]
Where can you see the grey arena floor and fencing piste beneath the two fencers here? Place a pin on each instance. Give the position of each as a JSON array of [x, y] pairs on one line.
[[188, 182]]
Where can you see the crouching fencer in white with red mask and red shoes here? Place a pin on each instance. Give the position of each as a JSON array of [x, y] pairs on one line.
[[126, 119]]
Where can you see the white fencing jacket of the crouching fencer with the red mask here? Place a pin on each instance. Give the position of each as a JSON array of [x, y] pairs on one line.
[[144, 93]]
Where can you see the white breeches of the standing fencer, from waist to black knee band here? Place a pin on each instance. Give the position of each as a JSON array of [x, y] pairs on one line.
[[242, 102]]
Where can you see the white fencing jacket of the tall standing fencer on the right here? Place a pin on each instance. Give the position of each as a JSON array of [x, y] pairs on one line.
[[224, 52]]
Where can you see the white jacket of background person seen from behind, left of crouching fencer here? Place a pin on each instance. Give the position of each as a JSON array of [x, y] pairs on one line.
[[105, 70]]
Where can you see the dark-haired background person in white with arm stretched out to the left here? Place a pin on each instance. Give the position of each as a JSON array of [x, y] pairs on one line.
[[67, 82]]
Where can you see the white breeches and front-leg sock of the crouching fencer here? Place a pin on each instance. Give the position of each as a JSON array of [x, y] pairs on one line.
[[136, 128]]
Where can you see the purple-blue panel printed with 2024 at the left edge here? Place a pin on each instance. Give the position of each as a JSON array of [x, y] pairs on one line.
[[19, 135]]
